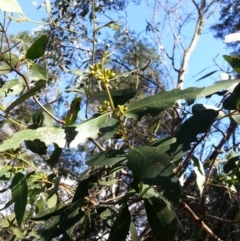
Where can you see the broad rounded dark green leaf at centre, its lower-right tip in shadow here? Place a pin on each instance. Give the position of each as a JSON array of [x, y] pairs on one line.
[[155, 168]]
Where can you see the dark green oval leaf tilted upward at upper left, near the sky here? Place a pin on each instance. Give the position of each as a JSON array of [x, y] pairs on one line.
[[37, 49]]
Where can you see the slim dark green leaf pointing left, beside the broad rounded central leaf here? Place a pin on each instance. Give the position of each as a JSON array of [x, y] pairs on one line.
[[109, 157]]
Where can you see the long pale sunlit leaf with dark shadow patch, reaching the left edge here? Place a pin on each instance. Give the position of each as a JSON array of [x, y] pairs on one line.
[[62, 136]]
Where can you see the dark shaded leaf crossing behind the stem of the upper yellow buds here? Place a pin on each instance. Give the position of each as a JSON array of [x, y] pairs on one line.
[[120, 97]]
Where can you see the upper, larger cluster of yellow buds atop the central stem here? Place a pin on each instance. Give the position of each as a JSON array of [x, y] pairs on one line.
[[100, 74]]
